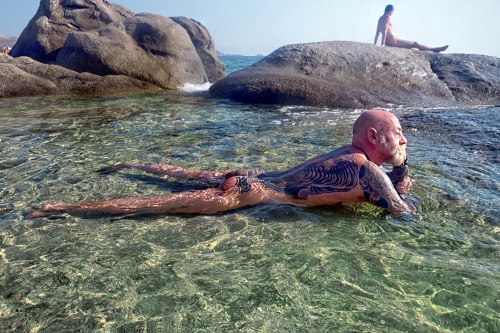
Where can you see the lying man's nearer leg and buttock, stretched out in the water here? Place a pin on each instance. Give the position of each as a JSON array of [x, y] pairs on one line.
[[234, 193]]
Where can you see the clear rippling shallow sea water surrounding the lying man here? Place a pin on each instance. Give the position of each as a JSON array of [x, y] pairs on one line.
[[347, 268]]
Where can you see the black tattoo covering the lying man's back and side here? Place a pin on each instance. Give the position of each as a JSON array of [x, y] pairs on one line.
[[327, 176]]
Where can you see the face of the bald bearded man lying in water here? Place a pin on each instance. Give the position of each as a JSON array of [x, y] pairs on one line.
[[393, 142]]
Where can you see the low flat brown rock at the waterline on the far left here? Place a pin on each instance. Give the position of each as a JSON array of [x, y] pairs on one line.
[[24, 76]]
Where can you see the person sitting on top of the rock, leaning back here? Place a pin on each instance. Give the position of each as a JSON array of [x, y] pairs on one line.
[[389, 37]]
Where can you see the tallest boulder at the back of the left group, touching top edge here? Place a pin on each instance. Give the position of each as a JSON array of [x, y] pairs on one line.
[[55, 19]]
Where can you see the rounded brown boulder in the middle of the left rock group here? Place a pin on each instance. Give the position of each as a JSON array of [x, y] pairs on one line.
[[147, 47]]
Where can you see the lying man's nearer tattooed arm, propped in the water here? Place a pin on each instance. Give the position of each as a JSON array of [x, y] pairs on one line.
[[379, 190]]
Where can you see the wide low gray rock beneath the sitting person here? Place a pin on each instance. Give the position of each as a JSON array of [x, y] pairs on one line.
[[355, 75]]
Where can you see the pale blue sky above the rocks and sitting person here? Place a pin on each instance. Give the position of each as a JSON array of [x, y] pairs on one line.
[[261, 26]]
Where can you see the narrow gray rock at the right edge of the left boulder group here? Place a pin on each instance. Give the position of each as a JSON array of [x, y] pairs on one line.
[[205, 47]]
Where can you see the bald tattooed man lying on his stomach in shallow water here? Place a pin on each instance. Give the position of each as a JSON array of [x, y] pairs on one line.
[[348, 174]]
